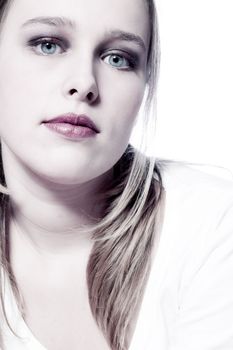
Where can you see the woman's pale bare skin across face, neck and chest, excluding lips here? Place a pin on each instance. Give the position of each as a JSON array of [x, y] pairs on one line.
[[55, 180]]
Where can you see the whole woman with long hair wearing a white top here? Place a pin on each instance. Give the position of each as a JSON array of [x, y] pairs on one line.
[[93, 254]]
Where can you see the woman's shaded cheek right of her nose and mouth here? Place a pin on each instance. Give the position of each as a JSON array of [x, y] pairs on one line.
[[122, 104]]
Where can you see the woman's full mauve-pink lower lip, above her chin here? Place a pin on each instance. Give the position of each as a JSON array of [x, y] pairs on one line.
[[71, 131]]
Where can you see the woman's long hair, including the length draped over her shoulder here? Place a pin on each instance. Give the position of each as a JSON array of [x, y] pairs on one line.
[[126, 237]]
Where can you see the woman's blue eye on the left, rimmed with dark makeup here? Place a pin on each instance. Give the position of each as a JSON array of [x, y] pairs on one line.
[[48, 46]]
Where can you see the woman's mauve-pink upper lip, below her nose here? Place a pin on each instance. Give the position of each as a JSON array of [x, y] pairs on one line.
[[75, 119]]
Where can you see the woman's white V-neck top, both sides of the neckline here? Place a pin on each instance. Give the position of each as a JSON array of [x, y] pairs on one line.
[[188, 301]]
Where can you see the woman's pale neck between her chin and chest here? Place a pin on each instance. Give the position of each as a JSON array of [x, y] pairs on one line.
[[50, 216]]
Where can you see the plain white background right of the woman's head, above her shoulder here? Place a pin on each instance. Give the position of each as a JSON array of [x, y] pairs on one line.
[[195, 102]]
